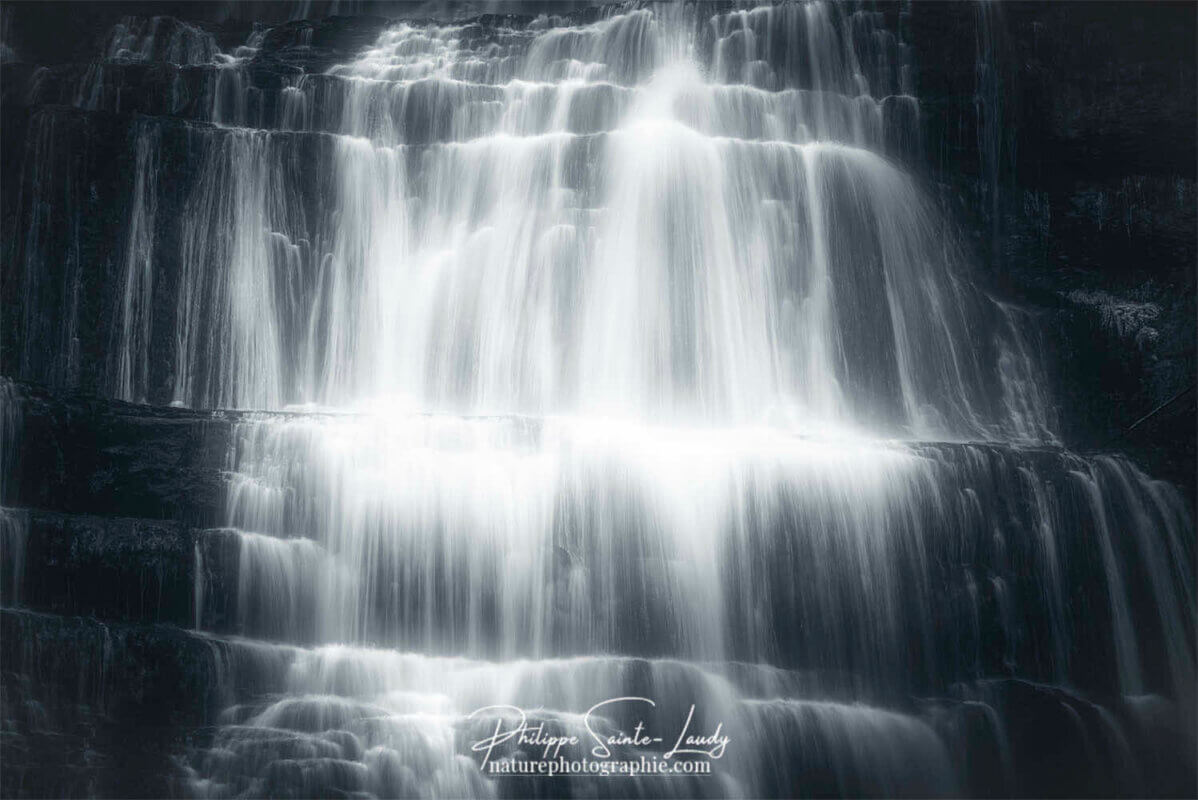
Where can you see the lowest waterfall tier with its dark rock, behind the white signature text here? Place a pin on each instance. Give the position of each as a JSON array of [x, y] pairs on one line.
[[217, 717]]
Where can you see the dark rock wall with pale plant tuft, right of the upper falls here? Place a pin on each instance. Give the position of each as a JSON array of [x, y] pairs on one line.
[[1064, 136]]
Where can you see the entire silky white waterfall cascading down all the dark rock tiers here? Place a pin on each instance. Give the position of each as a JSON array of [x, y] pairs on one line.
[[621, 355]]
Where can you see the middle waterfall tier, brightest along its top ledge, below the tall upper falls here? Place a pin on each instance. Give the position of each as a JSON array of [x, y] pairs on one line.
[[904, 566]]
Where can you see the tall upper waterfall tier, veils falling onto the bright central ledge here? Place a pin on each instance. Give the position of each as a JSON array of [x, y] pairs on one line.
[[667, 213]]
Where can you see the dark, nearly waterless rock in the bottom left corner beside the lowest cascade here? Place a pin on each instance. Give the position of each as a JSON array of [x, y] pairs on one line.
[[98, 710]]
